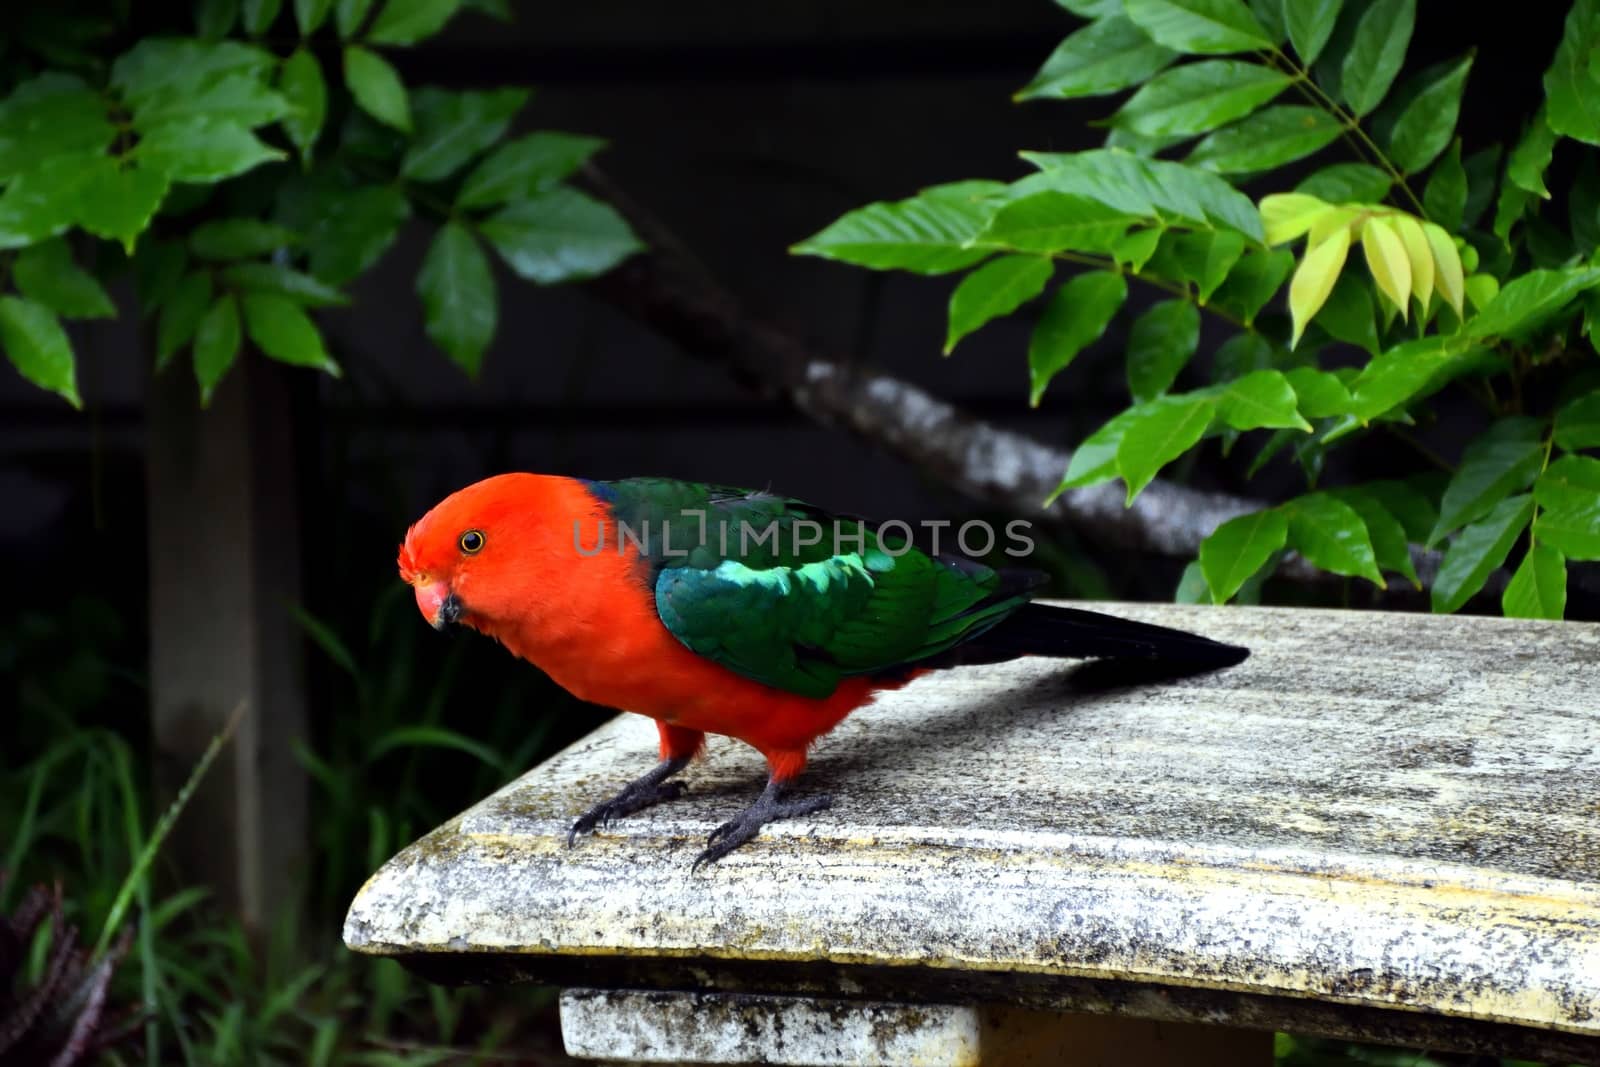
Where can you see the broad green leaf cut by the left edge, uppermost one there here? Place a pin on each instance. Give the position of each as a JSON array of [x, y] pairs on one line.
[[49, 116]]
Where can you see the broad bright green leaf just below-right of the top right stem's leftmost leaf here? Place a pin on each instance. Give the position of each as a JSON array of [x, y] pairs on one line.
[[1199, 97]]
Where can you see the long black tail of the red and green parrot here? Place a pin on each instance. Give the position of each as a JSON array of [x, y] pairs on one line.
[[1038, 629]]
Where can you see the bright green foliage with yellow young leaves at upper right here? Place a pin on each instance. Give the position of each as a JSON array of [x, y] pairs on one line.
[[1502, 308]]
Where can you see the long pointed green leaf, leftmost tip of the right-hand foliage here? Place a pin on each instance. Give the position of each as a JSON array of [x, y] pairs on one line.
[[924, 234]]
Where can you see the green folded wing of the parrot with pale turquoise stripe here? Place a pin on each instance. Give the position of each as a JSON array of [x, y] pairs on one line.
[[766, 586]]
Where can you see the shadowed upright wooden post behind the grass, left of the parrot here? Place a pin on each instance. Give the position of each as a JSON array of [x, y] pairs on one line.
[[225, 570]]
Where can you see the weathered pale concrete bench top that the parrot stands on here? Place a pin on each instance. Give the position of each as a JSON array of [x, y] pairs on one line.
[[1398, 815]]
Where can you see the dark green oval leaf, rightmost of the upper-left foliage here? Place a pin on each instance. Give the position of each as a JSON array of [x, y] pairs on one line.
[[561, 236]]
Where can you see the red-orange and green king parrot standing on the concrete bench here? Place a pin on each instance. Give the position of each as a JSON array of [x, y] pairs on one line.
[[730, 612]]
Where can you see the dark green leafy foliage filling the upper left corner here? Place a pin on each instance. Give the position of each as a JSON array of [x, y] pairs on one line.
[[250, 170]]
